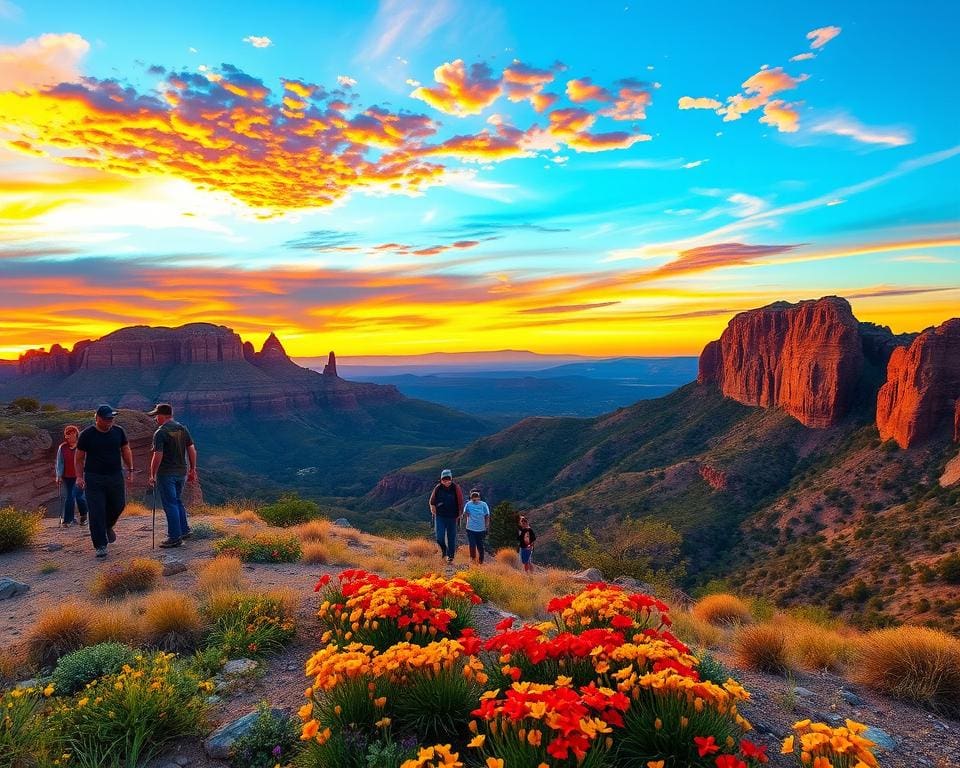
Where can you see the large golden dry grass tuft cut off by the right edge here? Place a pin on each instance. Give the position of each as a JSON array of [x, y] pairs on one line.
[[912, 663]]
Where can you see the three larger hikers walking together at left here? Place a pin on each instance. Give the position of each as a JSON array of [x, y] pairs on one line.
[[90, 467]]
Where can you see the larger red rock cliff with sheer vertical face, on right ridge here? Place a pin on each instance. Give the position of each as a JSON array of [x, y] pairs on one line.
[[805, 358]]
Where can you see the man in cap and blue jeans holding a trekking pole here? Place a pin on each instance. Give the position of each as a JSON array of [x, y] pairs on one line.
[[173, 462]]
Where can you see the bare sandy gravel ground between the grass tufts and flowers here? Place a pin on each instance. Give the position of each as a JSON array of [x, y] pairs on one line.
[[922, 739]]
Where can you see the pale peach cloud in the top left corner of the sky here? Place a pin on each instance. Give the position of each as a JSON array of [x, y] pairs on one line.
[[42, 61]]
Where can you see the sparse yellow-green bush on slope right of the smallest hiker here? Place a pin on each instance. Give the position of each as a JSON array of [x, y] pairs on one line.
[[646, 550]]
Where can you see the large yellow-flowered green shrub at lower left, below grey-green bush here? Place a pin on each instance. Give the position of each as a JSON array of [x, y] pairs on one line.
[[127, 718]]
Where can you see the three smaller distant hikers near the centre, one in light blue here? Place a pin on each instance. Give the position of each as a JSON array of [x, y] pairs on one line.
[[447, 508]]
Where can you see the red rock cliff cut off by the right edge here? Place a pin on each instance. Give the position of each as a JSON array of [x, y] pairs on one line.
[[921, 394]]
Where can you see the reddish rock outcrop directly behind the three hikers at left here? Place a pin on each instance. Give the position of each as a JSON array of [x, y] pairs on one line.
[[27, 463]]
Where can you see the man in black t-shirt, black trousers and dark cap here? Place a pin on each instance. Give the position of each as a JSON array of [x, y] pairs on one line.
[[102, 452]]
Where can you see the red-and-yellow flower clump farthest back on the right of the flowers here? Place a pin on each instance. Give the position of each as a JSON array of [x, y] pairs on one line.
[[609, 605]]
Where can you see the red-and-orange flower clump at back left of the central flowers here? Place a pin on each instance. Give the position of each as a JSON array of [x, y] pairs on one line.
[[368, 608]]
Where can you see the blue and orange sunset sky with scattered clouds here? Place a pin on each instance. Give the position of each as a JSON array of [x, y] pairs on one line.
[[403, 177]]
